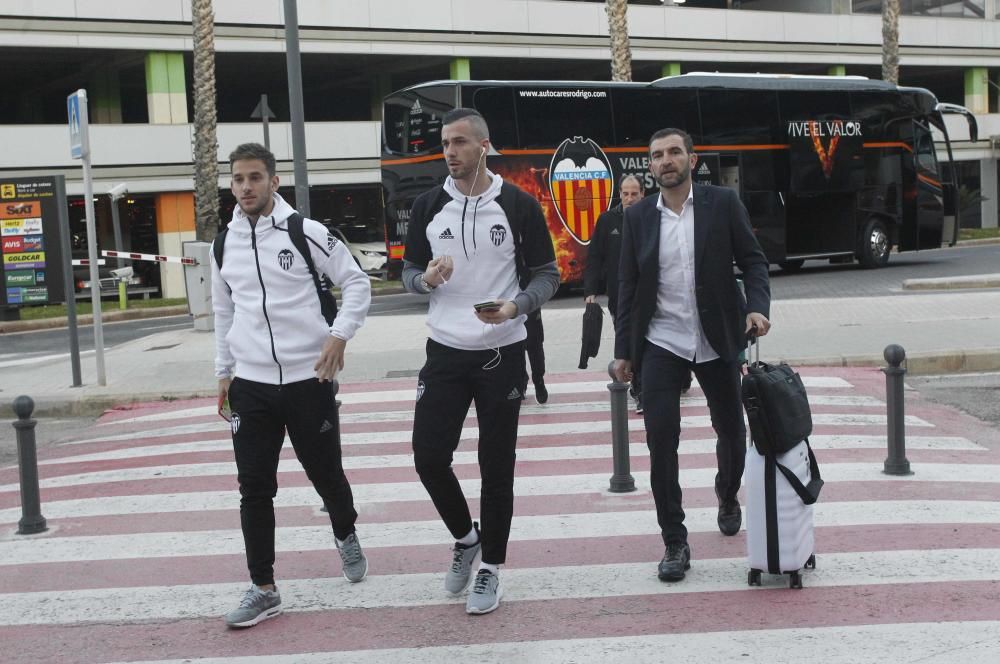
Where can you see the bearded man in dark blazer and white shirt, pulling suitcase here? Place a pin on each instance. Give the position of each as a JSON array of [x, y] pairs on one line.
[[680, 309]]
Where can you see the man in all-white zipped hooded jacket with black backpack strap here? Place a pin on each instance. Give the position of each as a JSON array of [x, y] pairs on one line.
[[275, 358]]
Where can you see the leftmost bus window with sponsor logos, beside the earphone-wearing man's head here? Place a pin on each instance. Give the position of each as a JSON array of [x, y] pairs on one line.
[[412, 121]]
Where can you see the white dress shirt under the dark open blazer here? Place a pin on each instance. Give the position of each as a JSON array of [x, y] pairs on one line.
[[676, 325]]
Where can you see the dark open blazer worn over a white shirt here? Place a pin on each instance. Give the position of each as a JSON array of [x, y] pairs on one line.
[[722, 236]]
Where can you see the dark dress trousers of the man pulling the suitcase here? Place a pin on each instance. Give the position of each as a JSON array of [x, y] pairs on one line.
[[664, 374]]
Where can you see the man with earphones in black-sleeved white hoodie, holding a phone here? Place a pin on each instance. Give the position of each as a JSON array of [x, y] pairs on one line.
[[470, 242]]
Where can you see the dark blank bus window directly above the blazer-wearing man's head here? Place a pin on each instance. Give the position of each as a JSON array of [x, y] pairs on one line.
[[639, 113]]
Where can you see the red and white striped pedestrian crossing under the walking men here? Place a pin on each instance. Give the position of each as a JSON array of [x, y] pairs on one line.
[[62, 634]]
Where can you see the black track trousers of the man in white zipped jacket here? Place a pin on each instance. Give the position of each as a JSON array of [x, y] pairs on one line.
[[261, 414]]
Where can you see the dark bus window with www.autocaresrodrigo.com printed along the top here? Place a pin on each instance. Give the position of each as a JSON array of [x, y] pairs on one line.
[[547, 116]]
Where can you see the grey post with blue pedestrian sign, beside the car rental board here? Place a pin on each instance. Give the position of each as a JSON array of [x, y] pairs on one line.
[[79, 148]]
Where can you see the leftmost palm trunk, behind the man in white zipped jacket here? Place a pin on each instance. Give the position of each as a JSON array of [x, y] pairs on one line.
[[206, 165]]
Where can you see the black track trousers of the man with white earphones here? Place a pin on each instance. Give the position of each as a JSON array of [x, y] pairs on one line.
[[449, 382]]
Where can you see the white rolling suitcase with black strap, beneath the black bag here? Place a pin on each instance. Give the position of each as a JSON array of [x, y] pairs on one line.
[[779, 522]]
